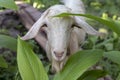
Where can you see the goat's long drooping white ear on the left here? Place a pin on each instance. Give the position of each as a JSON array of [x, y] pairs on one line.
[[36, 27]]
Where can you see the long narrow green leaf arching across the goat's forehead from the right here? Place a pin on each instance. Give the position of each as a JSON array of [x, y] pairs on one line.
[[114, 25]]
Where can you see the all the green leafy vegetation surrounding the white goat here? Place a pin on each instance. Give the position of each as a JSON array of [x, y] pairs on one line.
[[103, 51]]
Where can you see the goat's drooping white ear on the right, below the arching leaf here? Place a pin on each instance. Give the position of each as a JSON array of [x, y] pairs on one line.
[[85, 26]]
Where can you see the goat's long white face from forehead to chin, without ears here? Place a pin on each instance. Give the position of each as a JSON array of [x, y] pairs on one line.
[[58, 35]]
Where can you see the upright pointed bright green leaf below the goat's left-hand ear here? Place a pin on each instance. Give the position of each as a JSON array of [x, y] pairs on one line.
[[29, 65]]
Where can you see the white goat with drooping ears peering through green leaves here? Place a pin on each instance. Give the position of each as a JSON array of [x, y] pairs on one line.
[[64, 34]]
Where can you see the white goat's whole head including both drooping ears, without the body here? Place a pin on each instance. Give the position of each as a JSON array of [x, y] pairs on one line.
[[58, 30]]
